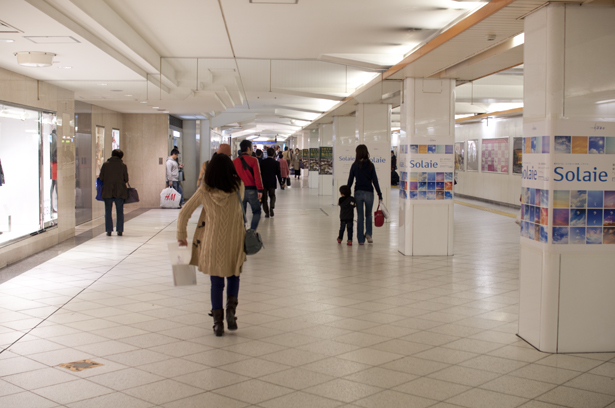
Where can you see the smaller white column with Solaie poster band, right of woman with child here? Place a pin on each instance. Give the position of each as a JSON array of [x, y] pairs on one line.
[[426, 166]]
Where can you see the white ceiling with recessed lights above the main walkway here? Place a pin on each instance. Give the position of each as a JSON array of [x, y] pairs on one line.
[[270, 65]]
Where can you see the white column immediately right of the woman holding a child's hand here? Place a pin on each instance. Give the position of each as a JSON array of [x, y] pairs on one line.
[[374, 131]]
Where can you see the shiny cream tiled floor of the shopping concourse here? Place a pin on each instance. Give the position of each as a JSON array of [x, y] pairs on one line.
[[321, 324]]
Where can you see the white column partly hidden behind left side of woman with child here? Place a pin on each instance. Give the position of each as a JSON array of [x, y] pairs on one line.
[[344, 145]]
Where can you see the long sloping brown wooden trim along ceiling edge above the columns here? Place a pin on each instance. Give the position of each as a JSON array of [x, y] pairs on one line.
[[487, 11]]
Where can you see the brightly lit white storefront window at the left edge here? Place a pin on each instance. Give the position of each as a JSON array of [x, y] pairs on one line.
[[28, 172]]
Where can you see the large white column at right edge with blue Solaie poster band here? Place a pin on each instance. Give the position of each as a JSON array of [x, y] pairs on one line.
[[568, 225]]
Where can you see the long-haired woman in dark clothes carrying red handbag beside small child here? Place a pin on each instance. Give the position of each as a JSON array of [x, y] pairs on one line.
[[365, 172]]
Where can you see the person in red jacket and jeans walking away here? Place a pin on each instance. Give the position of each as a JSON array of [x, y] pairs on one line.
[[250, 173]]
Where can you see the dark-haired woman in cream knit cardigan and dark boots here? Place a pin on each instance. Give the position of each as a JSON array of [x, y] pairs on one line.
[[218, 243]]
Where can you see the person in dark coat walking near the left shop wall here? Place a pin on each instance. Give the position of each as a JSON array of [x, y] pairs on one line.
[[114, 175]]
